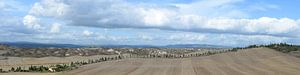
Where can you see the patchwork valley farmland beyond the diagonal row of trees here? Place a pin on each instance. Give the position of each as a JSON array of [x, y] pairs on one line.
[[24, 58]]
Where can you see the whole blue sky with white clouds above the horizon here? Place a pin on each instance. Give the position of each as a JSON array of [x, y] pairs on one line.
[[150, 22]]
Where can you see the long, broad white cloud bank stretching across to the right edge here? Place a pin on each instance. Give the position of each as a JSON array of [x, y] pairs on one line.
[[205, 16]]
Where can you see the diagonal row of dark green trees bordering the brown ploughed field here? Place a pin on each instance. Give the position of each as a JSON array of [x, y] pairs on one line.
[[75, 65]]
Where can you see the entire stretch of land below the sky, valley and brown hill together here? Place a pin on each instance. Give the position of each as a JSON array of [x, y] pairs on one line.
[[253, 60]]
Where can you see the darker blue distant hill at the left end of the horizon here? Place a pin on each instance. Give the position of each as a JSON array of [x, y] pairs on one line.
[[39, 45]]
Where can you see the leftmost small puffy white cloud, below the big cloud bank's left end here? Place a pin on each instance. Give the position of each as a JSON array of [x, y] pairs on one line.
[[31, 22]]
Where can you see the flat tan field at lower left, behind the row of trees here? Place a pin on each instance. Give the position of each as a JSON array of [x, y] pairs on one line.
[[28, 61]]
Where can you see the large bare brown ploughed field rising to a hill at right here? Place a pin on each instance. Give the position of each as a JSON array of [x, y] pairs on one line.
[[255, 61]]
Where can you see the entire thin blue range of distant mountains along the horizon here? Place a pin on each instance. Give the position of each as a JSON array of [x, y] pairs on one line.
[[43, 45]]
